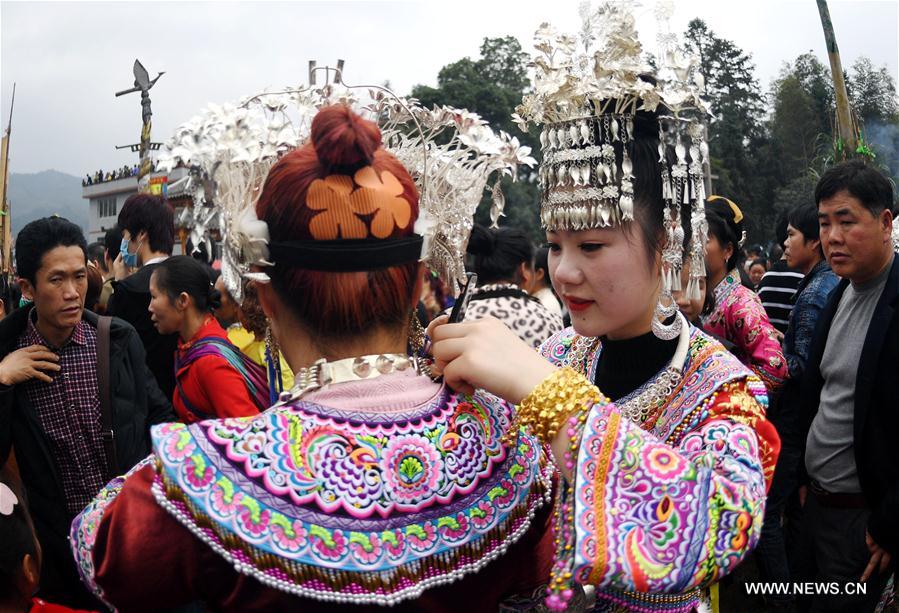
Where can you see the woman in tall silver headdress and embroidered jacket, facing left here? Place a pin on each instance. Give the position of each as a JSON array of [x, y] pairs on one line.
[[659, 432]]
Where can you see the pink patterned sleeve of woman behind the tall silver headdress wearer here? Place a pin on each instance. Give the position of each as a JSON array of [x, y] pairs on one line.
[[749, 328]]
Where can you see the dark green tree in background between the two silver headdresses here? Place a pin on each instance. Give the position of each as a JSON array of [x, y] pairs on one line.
[[492, 86]]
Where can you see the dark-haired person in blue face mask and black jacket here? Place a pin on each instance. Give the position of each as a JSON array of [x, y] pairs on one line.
[[148, 233]]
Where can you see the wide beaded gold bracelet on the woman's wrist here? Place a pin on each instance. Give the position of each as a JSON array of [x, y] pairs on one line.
[[545, 409]]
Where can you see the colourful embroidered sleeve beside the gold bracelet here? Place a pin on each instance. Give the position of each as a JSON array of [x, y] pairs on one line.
[[652, 517]]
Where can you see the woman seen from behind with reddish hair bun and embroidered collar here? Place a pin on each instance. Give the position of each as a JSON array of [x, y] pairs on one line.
[[368, 484]]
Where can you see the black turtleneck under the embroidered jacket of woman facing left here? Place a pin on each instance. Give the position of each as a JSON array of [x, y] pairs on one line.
[[627, 364]]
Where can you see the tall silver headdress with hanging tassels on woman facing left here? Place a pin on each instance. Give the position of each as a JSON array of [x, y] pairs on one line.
[[588, 90]]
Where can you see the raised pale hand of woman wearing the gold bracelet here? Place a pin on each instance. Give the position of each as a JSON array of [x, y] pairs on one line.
[[485, 354]]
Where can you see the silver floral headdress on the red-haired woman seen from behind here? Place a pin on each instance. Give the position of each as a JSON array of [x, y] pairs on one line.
[[451, 155]]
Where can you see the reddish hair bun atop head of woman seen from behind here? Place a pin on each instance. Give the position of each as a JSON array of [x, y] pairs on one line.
[[342, 138]]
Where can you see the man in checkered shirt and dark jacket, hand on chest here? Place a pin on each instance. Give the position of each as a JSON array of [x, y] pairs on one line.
[[50, 401]]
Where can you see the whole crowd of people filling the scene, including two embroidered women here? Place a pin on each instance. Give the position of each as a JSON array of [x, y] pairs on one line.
[[618, 420]]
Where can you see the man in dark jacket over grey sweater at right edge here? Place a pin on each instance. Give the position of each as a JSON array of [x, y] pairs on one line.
[[849, 396]]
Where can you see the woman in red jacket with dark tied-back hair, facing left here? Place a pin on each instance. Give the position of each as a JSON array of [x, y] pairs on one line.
[[214, 379]]
